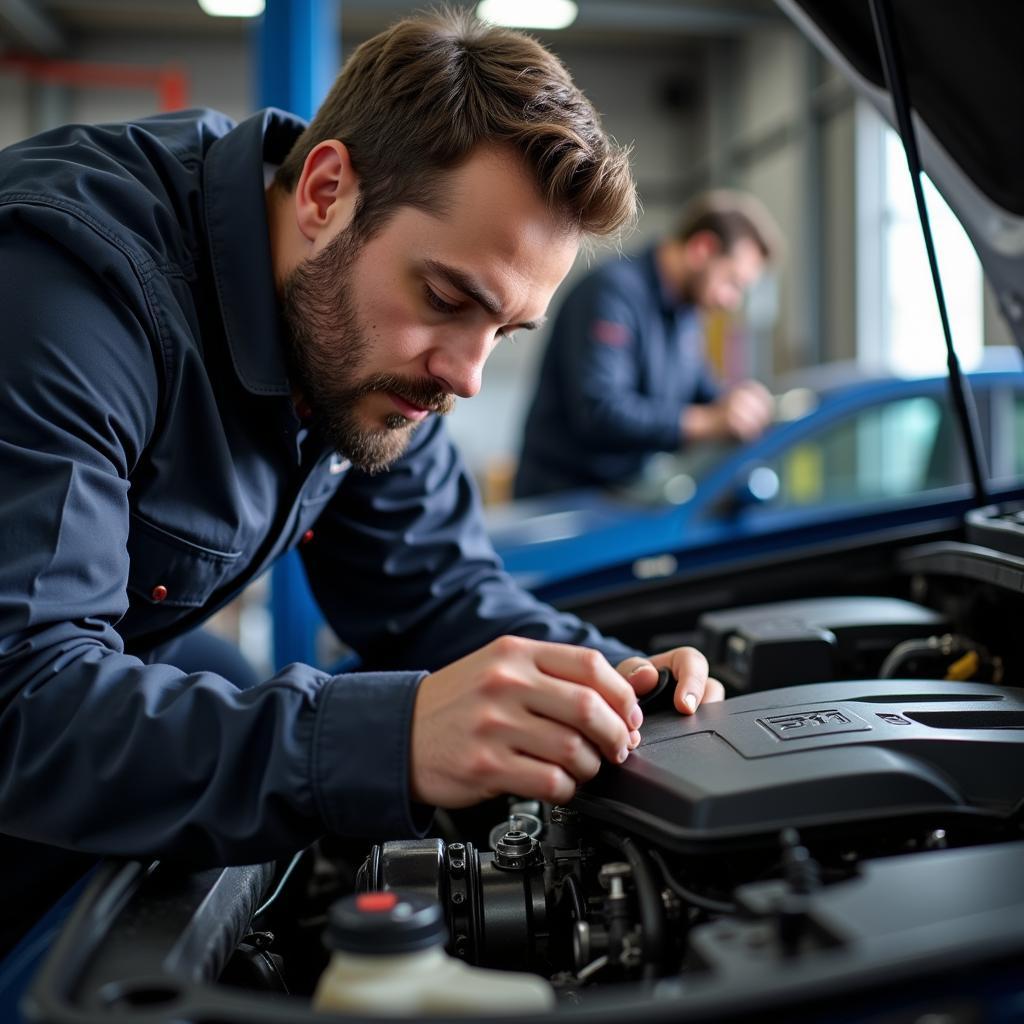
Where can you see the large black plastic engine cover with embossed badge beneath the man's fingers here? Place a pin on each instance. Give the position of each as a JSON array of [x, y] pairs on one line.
[[822, 755]]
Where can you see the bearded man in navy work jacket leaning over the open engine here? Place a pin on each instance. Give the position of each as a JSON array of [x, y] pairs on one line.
[[229, 342]]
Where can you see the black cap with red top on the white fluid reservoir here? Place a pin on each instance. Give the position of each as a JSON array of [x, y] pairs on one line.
[[386, 922]]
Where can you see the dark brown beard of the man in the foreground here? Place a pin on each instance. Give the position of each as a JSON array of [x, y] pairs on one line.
[[327, 348]]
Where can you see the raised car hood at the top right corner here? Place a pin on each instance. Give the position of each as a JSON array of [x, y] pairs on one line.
[[965, 77]]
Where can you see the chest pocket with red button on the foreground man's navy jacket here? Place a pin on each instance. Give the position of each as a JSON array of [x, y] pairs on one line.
[[169, 571]]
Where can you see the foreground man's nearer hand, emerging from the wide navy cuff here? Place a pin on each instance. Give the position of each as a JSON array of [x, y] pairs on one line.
[[520, 716]]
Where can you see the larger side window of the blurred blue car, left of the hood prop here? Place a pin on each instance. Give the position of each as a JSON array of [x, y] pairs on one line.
[[887, 451]]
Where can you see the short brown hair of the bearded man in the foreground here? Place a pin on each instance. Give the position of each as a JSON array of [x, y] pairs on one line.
[[420, 98]]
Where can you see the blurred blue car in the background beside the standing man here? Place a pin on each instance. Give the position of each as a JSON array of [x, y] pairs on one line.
[[845, 444]]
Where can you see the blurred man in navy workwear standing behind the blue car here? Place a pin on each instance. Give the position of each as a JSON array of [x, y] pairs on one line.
[[624, 375]]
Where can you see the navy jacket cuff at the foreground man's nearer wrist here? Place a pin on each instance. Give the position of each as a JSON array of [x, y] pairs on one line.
[[361, 755]]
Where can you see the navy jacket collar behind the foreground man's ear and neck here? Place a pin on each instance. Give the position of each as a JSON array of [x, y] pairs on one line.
[[240, 246]]
